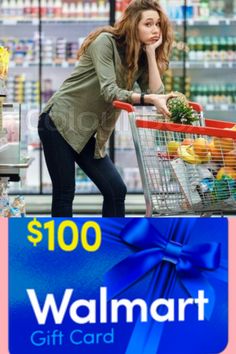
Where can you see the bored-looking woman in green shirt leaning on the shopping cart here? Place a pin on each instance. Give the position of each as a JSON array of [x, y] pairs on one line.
[[79, 119]]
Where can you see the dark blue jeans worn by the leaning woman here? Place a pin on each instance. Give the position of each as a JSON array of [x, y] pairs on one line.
[[60, 159]]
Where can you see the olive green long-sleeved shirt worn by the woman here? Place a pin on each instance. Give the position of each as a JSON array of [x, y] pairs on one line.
[[82, 106]]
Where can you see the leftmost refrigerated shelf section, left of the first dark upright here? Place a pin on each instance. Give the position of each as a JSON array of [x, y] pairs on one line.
[[19, 33]]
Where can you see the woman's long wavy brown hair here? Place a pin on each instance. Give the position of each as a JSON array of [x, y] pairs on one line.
[[126, 33]]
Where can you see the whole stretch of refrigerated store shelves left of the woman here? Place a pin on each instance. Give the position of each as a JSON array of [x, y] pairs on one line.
[[43, 39]]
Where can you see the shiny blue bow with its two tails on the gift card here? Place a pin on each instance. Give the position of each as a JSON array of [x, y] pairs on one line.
[[153, 248]]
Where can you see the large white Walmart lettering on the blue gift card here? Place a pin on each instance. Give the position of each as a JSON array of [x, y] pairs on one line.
[[58, 311]]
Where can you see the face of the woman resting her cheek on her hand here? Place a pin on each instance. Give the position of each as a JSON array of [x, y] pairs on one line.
[[149, 30]]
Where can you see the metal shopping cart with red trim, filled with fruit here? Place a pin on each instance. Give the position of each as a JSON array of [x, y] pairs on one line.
[[184, 169]]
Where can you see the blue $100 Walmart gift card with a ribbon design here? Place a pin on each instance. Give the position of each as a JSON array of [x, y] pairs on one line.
[[128, 285]]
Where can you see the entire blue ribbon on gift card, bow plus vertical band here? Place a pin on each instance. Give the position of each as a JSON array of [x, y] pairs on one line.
[[153, 251]]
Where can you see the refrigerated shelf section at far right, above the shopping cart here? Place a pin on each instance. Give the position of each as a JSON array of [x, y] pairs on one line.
[[211, 58]]
